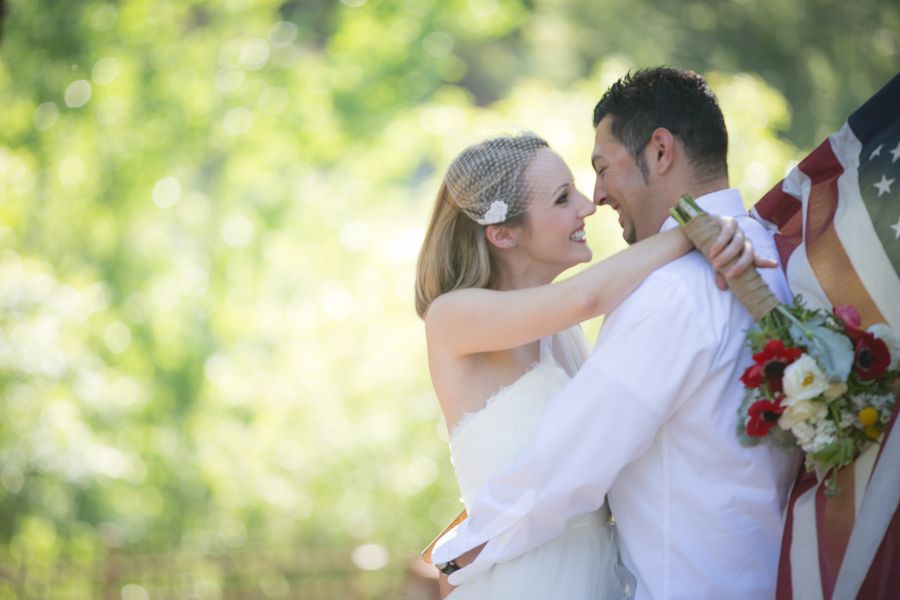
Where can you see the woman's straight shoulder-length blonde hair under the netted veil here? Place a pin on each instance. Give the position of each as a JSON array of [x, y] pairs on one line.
[[455, 253]]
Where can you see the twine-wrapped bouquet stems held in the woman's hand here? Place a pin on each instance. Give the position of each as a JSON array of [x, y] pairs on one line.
[[702, 229]]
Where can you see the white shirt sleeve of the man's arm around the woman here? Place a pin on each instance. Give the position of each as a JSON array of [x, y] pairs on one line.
[[649, 356]]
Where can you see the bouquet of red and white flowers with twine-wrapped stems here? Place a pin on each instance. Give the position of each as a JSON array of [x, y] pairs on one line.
[[818, 381]]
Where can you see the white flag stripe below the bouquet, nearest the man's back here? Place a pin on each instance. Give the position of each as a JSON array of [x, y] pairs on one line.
[[806, 583]]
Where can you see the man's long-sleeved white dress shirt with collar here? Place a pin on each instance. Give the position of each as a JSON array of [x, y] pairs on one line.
[[651, 421]]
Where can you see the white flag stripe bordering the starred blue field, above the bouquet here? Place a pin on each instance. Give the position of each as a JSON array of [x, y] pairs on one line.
[[854, 228]]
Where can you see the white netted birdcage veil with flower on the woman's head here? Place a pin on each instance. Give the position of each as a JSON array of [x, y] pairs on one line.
[[486, 181]]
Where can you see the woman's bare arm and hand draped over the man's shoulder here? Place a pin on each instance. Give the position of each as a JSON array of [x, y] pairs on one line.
[[475, 320]]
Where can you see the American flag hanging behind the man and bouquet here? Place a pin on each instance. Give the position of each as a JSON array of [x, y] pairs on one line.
[[837, 223]]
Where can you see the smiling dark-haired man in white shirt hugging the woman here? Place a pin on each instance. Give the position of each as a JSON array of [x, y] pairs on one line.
[[650, 420]]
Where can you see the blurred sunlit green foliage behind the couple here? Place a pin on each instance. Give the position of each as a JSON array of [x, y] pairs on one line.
[[209, 219]]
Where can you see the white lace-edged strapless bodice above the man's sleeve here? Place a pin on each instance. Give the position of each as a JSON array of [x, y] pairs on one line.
[[484, 443]]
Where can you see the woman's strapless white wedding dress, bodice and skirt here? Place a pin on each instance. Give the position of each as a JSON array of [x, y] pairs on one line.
[[581, 563]]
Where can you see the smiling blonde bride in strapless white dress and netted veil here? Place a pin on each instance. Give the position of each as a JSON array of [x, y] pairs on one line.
[[502, 339]]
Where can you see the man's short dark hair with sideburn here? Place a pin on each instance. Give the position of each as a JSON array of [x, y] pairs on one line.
[[678, 100]]
